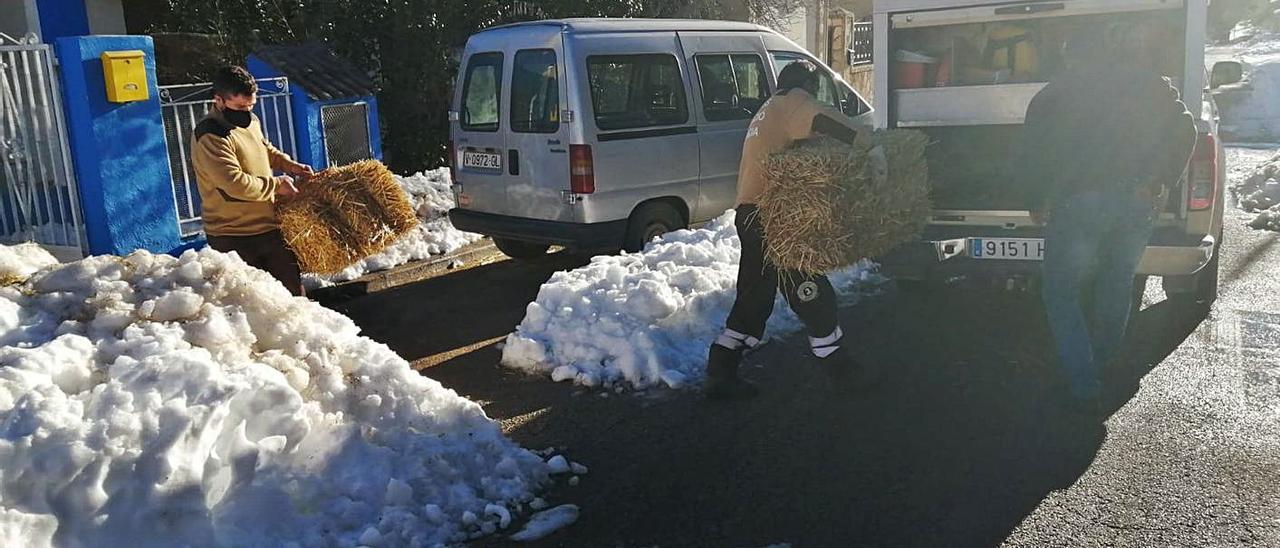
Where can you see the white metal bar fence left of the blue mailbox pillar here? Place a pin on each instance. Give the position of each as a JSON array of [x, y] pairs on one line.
[[38, 200]]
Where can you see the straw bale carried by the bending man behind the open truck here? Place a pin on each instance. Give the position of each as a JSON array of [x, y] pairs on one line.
[[826, 208]]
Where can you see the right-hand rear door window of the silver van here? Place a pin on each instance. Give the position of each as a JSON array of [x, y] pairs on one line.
[[536, 93]]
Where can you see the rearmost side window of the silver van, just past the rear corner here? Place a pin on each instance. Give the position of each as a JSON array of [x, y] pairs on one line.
[[637, 92]]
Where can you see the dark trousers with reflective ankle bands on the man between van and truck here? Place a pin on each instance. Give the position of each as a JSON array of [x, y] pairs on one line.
[[758, 282]]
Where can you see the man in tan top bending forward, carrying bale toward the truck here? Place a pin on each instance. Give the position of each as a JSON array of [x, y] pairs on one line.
[[793, 115]]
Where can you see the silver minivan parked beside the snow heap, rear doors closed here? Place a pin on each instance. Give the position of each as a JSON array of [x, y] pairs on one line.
[[604, 134]]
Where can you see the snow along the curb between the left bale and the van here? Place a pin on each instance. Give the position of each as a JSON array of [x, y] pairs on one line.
[[432, 199]]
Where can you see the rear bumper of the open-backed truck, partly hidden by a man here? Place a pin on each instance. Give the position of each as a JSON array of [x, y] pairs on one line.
[[1169, 254]]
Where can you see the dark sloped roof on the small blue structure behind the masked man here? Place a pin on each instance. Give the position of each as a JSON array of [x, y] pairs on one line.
[[318, 71]]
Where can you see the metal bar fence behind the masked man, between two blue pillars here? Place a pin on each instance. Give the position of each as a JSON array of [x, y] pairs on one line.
[[185, 106]]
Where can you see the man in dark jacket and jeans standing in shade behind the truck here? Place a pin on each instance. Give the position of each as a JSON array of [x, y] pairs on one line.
[[1103, 145]]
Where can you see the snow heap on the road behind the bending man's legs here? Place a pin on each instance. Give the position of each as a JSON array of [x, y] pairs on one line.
[[646, 319]]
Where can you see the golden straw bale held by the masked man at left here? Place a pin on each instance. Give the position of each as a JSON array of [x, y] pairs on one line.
[[344, 216]]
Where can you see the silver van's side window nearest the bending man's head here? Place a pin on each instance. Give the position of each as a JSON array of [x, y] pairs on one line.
[[734, 86]]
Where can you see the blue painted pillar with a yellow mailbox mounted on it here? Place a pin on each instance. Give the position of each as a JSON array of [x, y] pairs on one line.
[[121, 161]]
